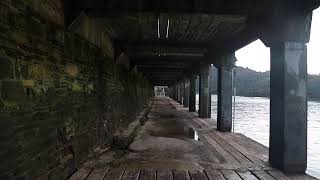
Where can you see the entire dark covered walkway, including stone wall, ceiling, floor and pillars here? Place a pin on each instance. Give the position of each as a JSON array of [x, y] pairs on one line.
[[76, 74]]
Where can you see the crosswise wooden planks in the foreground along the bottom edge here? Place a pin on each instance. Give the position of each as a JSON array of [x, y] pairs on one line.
[[147, 174]]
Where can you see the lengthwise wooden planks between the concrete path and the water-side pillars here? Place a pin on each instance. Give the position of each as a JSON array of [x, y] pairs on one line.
[[235, 149]]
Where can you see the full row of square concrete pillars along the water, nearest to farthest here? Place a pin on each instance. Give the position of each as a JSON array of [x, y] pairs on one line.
[[288, 103]]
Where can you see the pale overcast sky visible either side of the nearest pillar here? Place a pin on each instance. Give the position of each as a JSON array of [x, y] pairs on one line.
[[257, 57]]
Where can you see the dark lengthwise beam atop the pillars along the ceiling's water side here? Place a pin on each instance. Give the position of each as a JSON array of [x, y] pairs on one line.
[[257, 26]]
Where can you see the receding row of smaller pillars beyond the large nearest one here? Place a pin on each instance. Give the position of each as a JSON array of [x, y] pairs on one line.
[[184, 92]]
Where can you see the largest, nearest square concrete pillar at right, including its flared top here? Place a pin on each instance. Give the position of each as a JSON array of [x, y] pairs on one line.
[[287, 40]]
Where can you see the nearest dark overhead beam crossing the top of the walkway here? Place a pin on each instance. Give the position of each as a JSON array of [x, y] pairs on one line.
[[104, 7]]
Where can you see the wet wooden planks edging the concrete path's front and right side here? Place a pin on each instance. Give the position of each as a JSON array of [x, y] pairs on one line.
[[240, 158]]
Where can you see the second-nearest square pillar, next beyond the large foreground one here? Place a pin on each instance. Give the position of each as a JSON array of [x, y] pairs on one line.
[[224, 120]]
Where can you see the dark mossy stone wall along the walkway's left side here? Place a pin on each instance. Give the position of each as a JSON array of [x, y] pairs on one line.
[[59, 97]]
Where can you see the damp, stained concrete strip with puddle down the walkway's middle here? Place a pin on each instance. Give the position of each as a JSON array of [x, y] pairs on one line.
[[166, 141]]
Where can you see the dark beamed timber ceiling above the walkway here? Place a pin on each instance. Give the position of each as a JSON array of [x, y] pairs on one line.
[[167, 39]]
